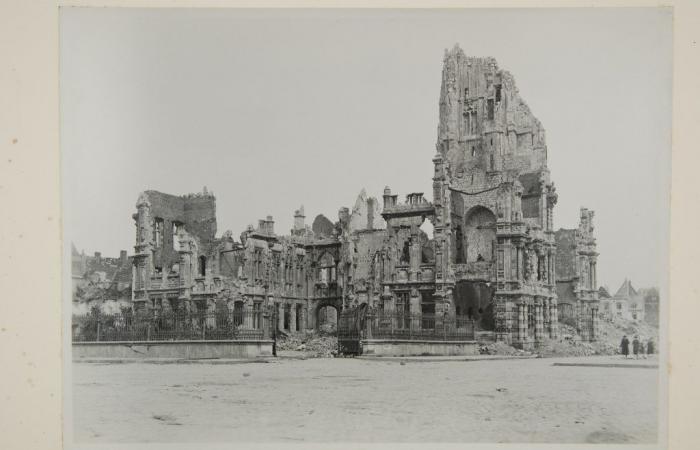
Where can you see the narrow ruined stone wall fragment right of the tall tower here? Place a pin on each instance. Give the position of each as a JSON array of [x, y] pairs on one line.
[[576, 268]]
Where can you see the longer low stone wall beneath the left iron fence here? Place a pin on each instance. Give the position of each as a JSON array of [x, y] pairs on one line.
[[172, 349]]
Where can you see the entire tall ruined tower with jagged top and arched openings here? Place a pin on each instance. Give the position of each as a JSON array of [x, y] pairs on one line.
[[494, 202]]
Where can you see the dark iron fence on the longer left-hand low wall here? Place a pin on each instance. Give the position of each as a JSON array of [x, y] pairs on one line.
[[171, 326]]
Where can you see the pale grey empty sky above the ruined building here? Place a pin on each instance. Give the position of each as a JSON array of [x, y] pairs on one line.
[[275, 109]]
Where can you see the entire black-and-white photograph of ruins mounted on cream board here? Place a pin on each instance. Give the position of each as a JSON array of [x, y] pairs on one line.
[[291, 226]]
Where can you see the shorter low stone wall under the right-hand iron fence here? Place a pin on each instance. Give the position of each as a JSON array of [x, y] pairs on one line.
[[381, 347]]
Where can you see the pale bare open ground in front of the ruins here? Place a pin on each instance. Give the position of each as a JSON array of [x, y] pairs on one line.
[[341, 399]]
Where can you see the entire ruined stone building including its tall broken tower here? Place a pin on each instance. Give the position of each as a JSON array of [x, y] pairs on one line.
[[493, 255]]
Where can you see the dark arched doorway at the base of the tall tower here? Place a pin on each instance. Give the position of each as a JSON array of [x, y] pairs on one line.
[[474, 300]]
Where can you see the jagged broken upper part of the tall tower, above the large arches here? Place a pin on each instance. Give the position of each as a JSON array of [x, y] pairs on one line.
[[485, 126]]
